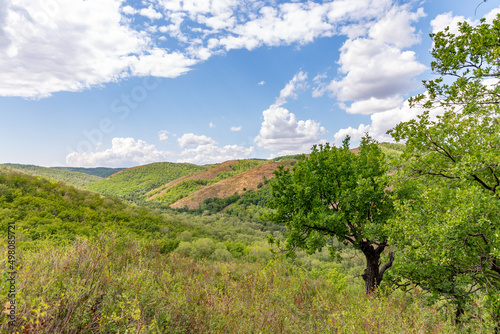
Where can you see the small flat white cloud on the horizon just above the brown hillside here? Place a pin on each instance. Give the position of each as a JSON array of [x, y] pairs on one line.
[[209, 153]]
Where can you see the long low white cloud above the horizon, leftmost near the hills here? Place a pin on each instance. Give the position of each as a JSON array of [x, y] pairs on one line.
[[125, 152]]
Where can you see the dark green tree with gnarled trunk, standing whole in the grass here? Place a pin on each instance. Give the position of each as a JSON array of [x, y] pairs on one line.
[[335, 193]]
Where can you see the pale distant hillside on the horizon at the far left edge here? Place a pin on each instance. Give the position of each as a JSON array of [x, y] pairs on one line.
[[70, 176]]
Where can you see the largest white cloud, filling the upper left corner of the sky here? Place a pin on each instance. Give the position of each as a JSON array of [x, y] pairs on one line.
[[62, 47]]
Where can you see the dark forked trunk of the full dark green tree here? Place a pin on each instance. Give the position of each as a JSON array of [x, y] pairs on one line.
[[373, 273]]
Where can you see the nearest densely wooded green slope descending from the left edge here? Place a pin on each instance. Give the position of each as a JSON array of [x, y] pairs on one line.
[[47, 209]]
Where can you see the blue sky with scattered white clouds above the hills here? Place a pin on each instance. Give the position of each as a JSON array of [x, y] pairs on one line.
[[118, 83]]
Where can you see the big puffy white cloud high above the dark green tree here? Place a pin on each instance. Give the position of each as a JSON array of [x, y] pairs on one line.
[[377, 71]]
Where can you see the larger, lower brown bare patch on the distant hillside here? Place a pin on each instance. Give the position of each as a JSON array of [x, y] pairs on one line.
[[235, 184]]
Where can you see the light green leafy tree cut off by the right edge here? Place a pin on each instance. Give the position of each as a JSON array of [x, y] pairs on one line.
[[447, 226]]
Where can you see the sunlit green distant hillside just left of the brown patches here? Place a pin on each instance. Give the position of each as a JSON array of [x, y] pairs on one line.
[[133, 183]]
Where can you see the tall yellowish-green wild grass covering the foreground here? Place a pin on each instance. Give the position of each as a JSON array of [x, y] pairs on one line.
[[111, 285]]
